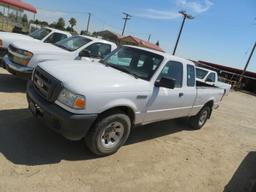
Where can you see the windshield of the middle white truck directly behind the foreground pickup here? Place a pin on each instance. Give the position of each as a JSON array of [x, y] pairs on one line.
[[73, 43]]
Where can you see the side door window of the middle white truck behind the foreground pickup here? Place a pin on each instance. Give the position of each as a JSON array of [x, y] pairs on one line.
[[99, 50]]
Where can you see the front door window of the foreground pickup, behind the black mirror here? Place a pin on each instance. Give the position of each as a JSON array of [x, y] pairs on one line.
[[173, 70]]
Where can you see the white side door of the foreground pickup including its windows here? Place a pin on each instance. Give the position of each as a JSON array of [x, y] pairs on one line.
[[171, 103]]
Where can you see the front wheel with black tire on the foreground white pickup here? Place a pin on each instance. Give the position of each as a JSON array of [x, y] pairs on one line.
[[99, 135]]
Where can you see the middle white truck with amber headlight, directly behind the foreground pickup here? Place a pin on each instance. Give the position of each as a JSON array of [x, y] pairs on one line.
[[23, 58]]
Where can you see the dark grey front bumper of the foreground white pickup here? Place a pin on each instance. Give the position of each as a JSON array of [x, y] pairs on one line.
[[71, 126]]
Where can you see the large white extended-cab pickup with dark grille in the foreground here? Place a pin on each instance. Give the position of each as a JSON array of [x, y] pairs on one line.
[[102, 101]]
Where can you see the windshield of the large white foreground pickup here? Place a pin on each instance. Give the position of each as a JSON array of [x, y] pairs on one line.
[[139, 63]]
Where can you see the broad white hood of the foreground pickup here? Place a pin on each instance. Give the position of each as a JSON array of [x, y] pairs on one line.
[[84, 76]]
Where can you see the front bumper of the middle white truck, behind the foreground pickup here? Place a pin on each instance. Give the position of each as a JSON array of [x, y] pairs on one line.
[[16, 69]]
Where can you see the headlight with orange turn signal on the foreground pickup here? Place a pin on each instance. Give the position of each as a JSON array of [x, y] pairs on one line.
[[72, 100]]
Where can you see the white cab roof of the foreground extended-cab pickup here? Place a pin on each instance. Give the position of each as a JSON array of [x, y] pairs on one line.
[[165, 55]]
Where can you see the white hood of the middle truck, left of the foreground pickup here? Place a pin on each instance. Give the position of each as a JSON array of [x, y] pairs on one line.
[[39, 48]]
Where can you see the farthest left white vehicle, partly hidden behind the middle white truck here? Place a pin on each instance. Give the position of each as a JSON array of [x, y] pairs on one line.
[[45, 34]]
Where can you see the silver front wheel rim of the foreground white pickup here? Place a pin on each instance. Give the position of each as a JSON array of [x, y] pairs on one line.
[[112, 135]]
